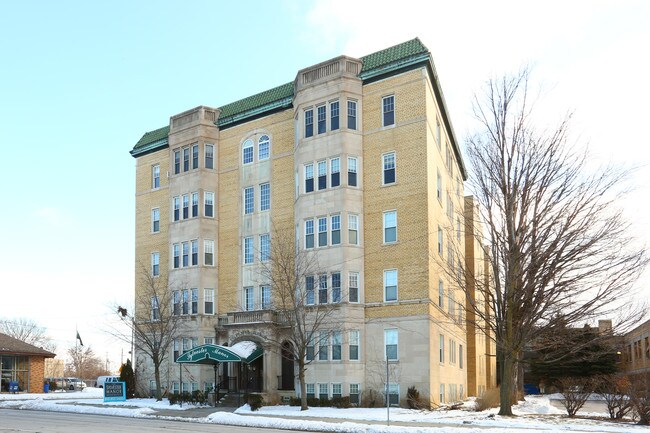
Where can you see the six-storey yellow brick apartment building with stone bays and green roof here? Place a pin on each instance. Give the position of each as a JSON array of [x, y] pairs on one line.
[[357, 157]]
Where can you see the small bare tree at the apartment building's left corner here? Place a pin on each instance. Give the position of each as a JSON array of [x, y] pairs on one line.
[[153, 324]]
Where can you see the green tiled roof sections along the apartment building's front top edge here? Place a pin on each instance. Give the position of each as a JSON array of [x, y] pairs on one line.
[[374, 64]]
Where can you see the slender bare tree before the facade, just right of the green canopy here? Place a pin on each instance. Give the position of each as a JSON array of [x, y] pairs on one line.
[[302, 313]]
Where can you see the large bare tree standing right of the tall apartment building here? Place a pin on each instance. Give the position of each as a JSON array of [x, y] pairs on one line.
[[561, 252]]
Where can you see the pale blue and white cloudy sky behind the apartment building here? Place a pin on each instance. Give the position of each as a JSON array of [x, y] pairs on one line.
[[82, 81]]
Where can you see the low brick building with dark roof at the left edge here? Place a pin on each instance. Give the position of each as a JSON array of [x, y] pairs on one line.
[[22, 363]]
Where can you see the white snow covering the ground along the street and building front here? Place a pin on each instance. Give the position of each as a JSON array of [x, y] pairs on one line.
[[536, 414]]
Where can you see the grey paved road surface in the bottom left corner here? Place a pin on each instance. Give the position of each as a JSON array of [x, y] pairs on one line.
[[27, 421]]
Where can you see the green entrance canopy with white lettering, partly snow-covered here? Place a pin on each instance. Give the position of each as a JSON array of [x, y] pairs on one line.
[[244, 351]]
